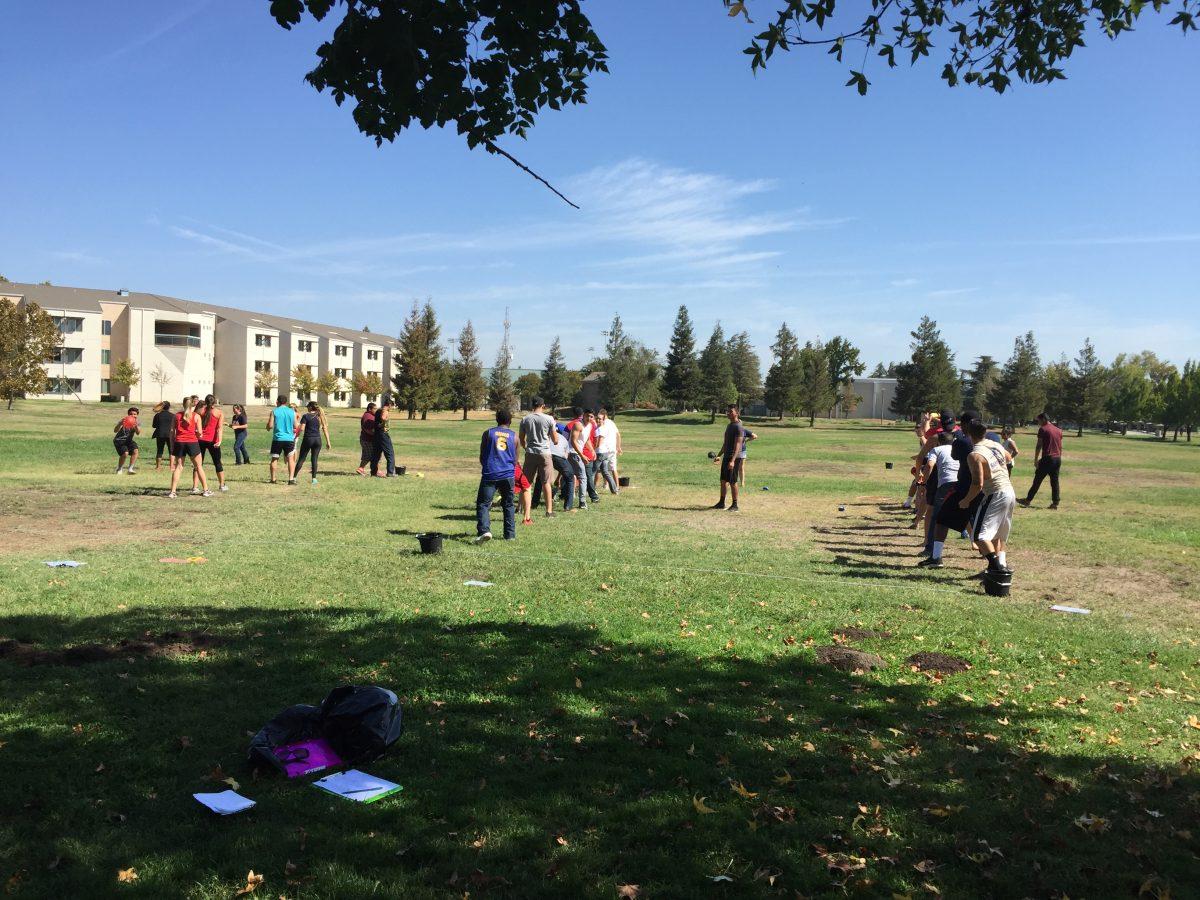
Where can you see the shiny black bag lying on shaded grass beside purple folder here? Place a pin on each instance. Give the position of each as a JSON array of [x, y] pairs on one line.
[[361, 723]]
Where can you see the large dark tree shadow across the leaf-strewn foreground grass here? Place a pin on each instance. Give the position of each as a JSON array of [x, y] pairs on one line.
[[541, 761]]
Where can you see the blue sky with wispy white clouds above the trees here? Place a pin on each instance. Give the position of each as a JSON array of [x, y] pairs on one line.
[[175, 148]]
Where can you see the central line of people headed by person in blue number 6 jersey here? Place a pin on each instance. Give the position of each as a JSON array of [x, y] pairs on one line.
[[563, 459]]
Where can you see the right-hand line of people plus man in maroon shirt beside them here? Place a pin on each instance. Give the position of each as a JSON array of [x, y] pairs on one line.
[[962, 483]]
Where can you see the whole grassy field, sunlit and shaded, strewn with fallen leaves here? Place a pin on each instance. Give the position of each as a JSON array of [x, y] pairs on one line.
[[638, 701]]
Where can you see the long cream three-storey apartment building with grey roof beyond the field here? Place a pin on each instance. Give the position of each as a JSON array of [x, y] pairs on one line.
[[183, 347]]
